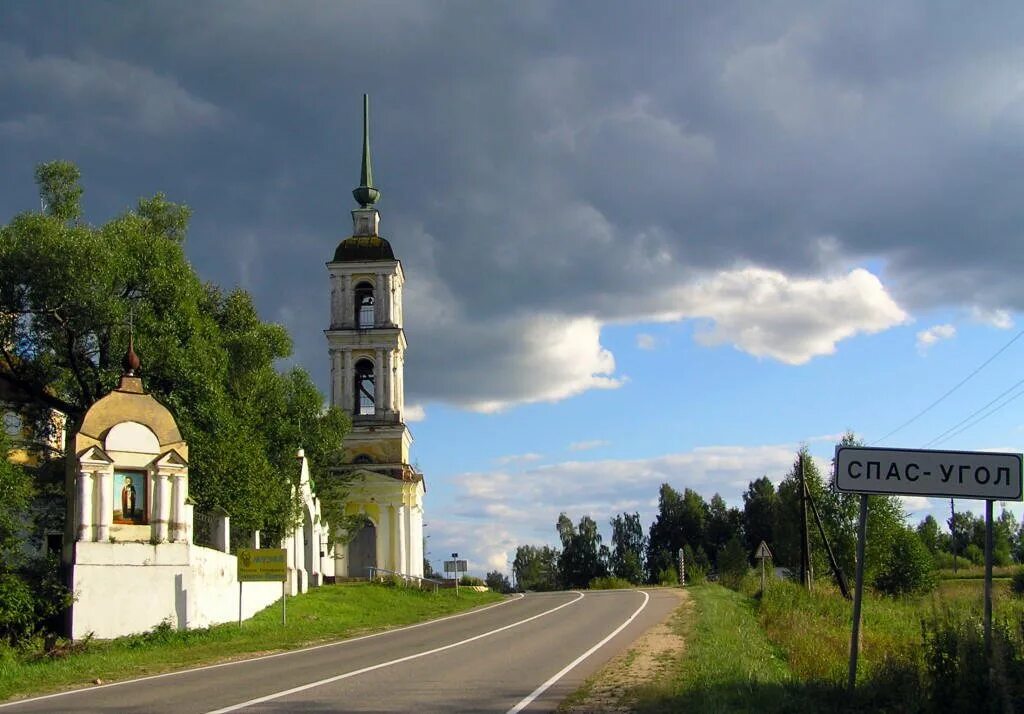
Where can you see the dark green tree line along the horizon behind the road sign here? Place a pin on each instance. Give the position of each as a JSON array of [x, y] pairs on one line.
[[717, 538]]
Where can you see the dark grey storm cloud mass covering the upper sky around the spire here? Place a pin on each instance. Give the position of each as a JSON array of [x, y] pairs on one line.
[[537, 160]]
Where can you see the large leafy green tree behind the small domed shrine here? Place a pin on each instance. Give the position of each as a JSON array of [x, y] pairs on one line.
[[206, 355]]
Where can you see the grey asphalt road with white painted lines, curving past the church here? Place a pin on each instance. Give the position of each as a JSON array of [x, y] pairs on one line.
[[526, 654]]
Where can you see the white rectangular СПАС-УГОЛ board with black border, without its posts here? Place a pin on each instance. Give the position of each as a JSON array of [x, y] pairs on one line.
[[924, 473]]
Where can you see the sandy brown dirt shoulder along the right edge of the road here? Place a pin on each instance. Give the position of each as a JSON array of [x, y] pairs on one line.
[[648, 659]]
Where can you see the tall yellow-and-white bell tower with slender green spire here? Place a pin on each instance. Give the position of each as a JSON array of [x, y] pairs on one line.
[[367, 346]]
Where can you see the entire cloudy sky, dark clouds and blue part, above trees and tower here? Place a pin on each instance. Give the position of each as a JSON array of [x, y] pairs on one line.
[[651, 243]]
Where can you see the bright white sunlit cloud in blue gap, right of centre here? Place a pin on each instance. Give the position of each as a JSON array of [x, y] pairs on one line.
[[767, 314]]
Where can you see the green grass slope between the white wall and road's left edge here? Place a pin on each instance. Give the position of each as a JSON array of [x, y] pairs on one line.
[[326, 614]]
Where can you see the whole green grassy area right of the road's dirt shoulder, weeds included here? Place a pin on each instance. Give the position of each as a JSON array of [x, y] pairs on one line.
[[788, 651]]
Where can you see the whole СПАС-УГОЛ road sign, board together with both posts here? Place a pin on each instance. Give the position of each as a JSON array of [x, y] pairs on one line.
[[984, 476]]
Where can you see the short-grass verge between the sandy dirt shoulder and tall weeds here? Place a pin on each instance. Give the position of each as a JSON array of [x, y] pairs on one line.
[[729, 665]]
